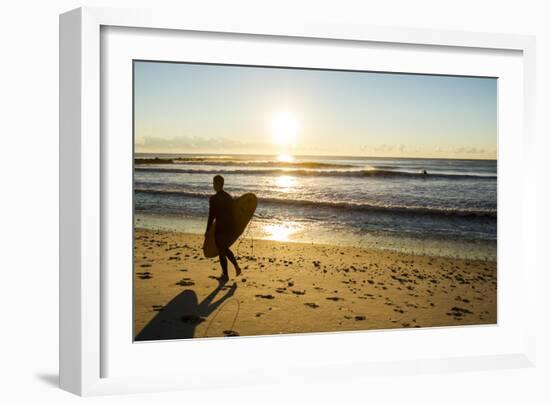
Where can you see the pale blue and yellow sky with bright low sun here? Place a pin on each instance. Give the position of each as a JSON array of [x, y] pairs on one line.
[[198, 108]]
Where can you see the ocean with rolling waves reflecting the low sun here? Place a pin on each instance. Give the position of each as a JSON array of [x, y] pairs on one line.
[[424, 206]]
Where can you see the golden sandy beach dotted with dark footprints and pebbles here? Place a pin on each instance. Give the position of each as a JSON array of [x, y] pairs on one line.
[[291, 287]]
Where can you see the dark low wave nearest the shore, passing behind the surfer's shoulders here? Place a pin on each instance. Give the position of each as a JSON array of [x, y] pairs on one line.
[[350, 206]]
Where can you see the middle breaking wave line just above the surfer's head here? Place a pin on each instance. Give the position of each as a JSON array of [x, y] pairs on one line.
[[356, 173]]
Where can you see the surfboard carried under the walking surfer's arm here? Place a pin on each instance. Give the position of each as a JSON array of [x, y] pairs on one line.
[[243, 210]]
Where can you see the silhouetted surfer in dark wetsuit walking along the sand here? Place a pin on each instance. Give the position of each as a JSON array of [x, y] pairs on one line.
[[221, 210]]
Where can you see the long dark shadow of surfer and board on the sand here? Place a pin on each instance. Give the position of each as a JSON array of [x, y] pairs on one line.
[[180, 317]]
